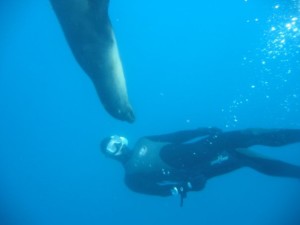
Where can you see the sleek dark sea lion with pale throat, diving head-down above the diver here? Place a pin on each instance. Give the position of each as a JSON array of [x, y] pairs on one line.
[[89, 33]]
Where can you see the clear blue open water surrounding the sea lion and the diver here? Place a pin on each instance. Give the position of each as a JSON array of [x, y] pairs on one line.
[[188, 64]]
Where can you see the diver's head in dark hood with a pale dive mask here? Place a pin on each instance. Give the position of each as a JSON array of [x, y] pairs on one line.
[[115, 147]]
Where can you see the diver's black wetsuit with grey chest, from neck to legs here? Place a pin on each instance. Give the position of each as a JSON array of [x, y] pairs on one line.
[[180, 162]]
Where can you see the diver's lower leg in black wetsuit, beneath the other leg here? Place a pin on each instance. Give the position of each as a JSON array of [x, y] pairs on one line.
[[266, 165]]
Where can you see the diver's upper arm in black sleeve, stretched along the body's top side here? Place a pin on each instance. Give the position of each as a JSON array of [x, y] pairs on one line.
[[185, 135]]
